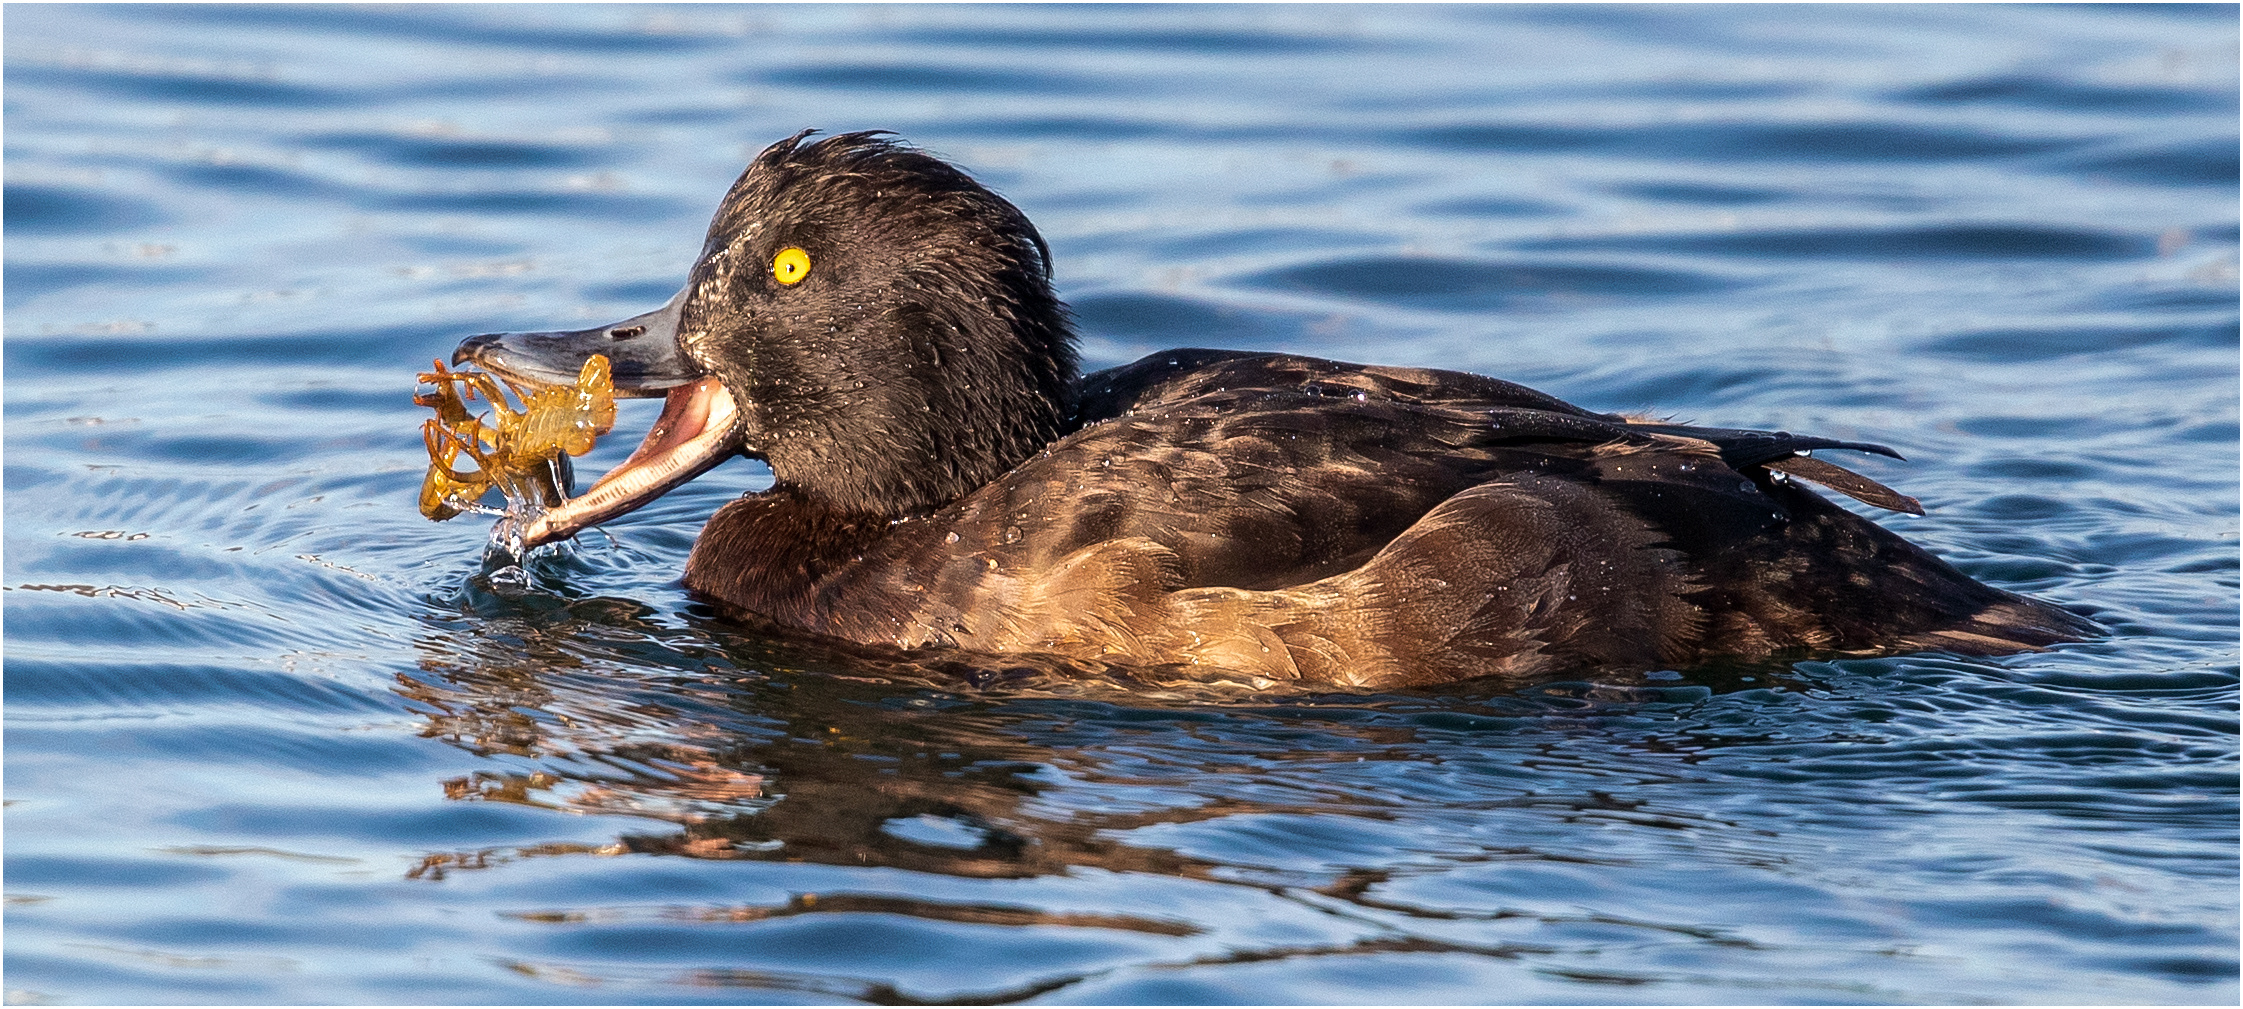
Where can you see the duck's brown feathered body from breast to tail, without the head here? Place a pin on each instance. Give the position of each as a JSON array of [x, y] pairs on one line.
[[1300, 519]]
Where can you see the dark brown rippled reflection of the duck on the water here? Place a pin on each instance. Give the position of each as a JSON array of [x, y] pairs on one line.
[[784, 752]]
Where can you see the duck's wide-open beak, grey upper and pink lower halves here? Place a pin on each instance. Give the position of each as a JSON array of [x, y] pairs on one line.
[[699, 427]]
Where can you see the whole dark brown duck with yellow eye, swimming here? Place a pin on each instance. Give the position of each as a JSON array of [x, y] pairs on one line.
[[883, 333]]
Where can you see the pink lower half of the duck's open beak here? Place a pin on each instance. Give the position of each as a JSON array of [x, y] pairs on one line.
[[699, 429]]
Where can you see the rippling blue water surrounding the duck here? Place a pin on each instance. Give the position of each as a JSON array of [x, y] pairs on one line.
[[273, 737]]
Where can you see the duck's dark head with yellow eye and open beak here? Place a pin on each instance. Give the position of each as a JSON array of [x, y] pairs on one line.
[[865, 317]]
